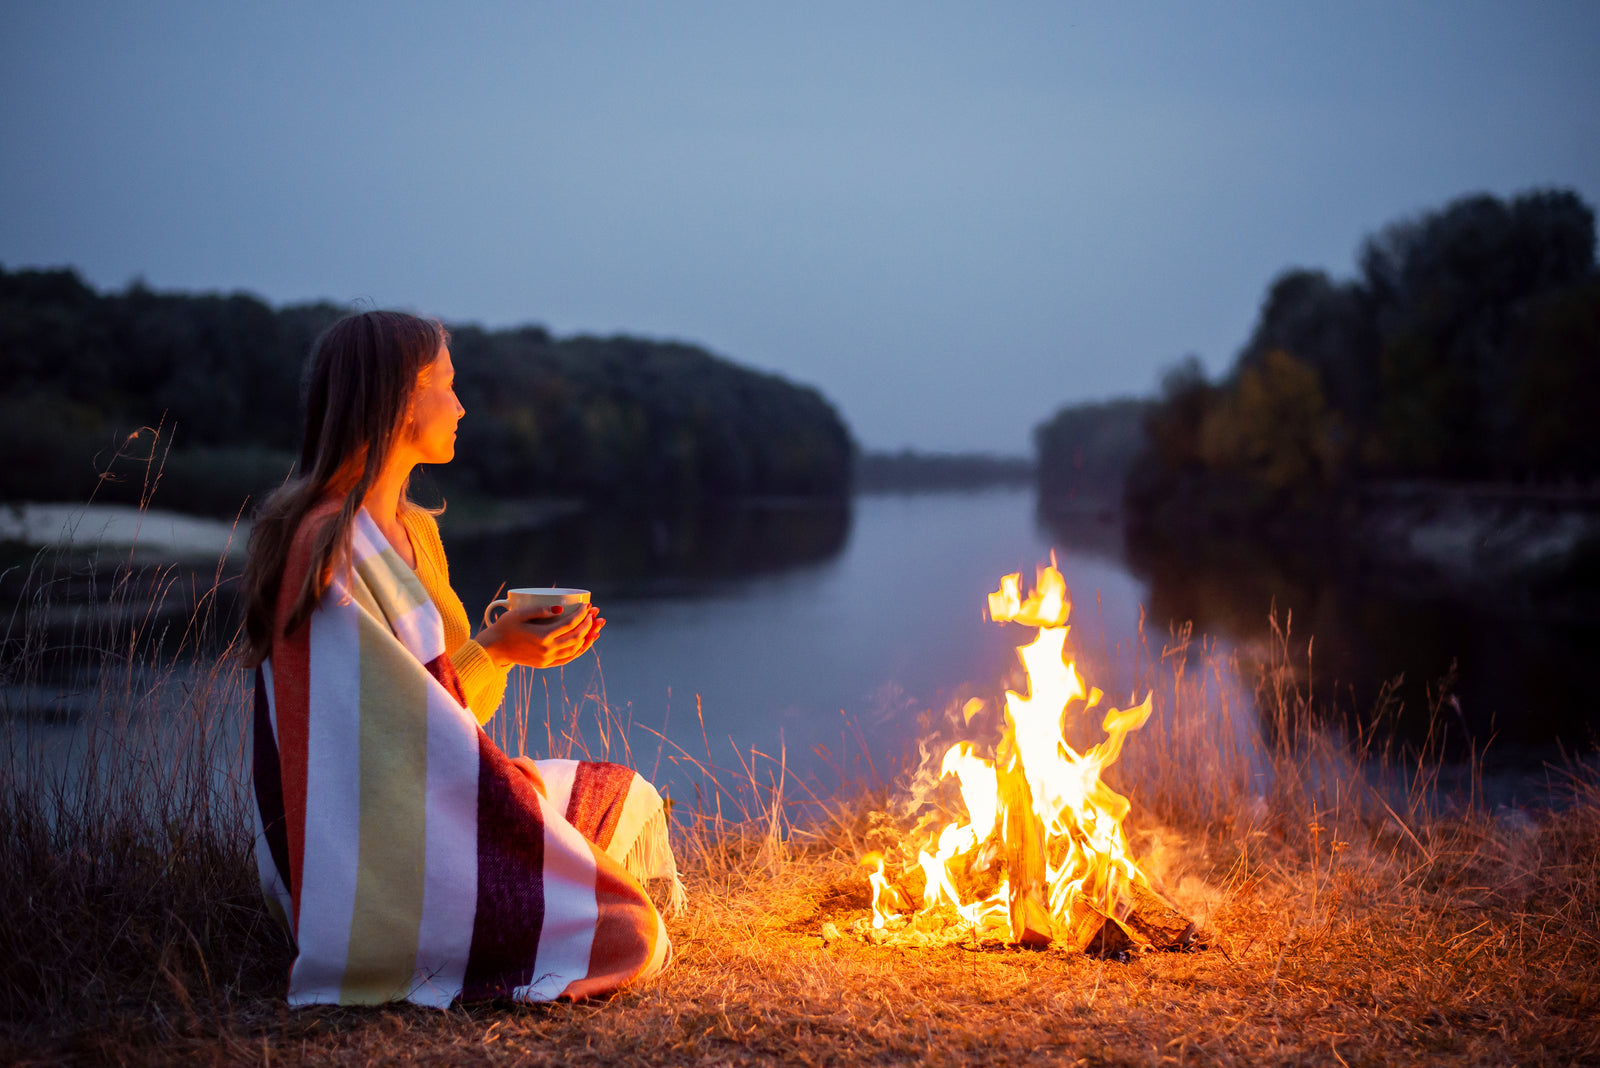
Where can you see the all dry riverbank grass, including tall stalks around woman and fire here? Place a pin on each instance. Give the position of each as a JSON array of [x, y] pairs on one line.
[[1358, 915]]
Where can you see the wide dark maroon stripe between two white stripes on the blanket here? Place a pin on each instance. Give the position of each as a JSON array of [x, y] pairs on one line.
[[511, 880]]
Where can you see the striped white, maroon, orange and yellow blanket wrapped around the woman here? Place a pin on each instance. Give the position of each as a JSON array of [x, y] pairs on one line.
[[404, 851]]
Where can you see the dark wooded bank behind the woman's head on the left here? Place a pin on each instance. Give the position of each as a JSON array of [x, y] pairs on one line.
[[618, 420]]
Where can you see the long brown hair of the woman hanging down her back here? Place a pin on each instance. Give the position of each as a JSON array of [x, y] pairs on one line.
[[359, 385]]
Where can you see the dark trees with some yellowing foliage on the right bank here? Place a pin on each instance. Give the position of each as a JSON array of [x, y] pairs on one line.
[[1466, 349]]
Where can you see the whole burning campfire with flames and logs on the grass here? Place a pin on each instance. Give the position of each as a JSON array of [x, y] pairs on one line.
[[1041, 858]]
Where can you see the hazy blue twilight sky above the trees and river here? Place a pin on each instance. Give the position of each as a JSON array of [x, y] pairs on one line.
[[951, 218]]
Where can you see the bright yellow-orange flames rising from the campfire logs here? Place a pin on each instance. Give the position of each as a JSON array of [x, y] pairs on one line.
[[1036, 789]]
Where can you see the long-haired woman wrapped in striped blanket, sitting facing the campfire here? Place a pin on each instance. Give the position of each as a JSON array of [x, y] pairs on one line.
[[409, 858]]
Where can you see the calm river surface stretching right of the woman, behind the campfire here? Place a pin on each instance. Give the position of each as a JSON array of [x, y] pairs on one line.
[[802, 628]]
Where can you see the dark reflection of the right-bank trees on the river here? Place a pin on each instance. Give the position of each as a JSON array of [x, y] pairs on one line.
[[1508, 671]]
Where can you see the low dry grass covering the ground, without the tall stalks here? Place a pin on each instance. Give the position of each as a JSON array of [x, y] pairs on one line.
[[1364, 954]]
